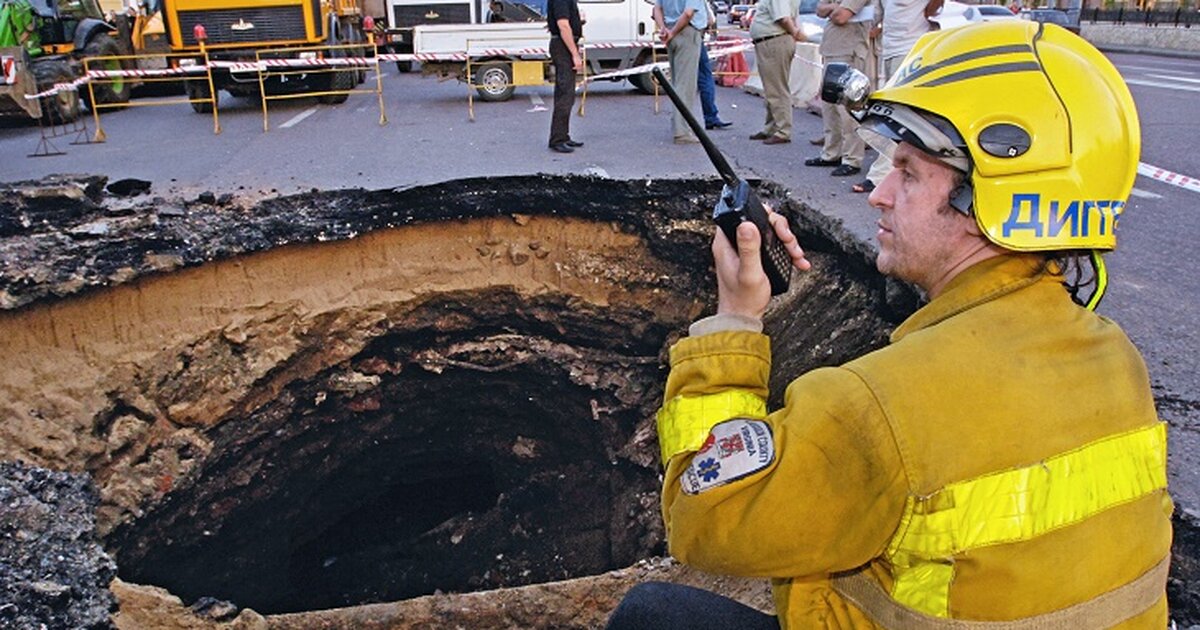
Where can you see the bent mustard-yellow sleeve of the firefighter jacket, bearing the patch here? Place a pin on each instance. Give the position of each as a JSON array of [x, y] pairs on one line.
[[832, 495]]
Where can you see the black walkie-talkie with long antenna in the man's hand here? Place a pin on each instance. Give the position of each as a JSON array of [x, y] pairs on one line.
[[739, 203]]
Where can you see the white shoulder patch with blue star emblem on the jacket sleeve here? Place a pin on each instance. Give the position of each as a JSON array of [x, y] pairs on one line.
[[735, 449]]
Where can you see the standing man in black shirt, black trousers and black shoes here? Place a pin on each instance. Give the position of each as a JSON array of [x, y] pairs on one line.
[[566, 28]]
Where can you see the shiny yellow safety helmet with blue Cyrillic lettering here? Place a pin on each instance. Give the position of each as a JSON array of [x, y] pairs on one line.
[[1037, 118]]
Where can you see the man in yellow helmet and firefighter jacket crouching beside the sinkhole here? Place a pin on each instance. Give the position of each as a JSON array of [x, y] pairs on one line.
[[1001, 460]]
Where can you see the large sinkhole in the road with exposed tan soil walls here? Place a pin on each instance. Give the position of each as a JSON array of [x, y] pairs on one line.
[[391, 394]]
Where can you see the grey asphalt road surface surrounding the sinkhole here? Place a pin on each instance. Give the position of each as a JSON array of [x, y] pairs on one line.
[[429, 139]]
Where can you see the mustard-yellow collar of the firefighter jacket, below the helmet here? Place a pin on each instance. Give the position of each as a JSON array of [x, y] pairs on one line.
[[980, 284]]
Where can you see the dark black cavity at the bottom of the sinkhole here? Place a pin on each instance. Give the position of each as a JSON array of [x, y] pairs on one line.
[[472, 460]]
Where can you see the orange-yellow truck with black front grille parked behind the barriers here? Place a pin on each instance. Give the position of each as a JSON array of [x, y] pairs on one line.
[[238, 29]]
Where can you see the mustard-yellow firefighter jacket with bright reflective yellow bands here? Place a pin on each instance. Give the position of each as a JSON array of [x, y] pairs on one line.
[[1000, 460]]
